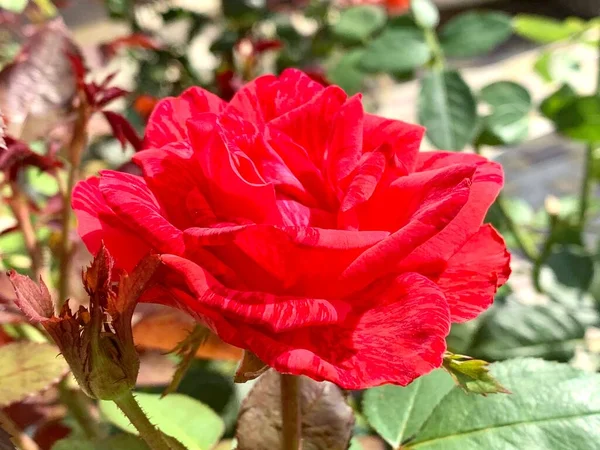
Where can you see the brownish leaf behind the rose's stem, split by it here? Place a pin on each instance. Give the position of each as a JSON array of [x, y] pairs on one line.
[[327, 420]]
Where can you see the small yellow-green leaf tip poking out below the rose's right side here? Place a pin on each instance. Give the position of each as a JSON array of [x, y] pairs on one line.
[[472, 375]]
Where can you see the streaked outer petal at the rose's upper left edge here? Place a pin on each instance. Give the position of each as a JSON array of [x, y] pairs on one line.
[[167, 122]]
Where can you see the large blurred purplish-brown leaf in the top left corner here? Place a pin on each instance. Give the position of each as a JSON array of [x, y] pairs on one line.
[[39, 85]]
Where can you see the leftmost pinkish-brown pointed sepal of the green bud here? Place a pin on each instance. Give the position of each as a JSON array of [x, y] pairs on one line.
[[33, 299]]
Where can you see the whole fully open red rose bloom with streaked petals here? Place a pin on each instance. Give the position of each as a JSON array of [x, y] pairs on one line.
[[299, 227]]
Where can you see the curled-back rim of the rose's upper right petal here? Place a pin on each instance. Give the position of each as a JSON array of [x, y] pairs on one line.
[[487, 182]]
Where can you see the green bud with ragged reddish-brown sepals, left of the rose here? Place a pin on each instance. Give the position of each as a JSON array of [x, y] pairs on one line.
[[97, 342]]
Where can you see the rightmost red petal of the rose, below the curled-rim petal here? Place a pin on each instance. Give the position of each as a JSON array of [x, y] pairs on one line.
[[474, 274]]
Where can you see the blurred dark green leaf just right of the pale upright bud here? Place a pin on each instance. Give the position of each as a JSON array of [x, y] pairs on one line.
[[474, 33]]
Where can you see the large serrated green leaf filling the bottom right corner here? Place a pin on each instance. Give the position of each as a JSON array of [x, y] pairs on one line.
[[552, 406]]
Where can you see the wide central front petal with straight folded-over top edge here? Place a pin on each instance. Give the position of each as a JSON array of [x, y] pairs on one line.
[[292, 259]]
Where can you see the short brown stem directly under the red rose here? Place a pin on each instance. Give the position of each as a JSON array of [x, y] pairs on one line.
[[290, 412]]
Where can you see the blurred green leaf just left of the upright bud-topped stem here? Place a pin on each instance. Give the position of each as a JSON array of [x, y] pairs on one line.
[[397, 49]]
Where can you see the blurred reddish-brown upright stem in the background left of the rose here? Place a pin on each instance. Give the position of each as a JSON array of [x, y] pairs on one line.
[[76, 147]]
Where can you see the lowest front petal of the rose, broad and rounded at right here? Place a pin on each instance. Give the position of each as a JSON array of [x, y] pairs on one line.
[[398, 336]]
